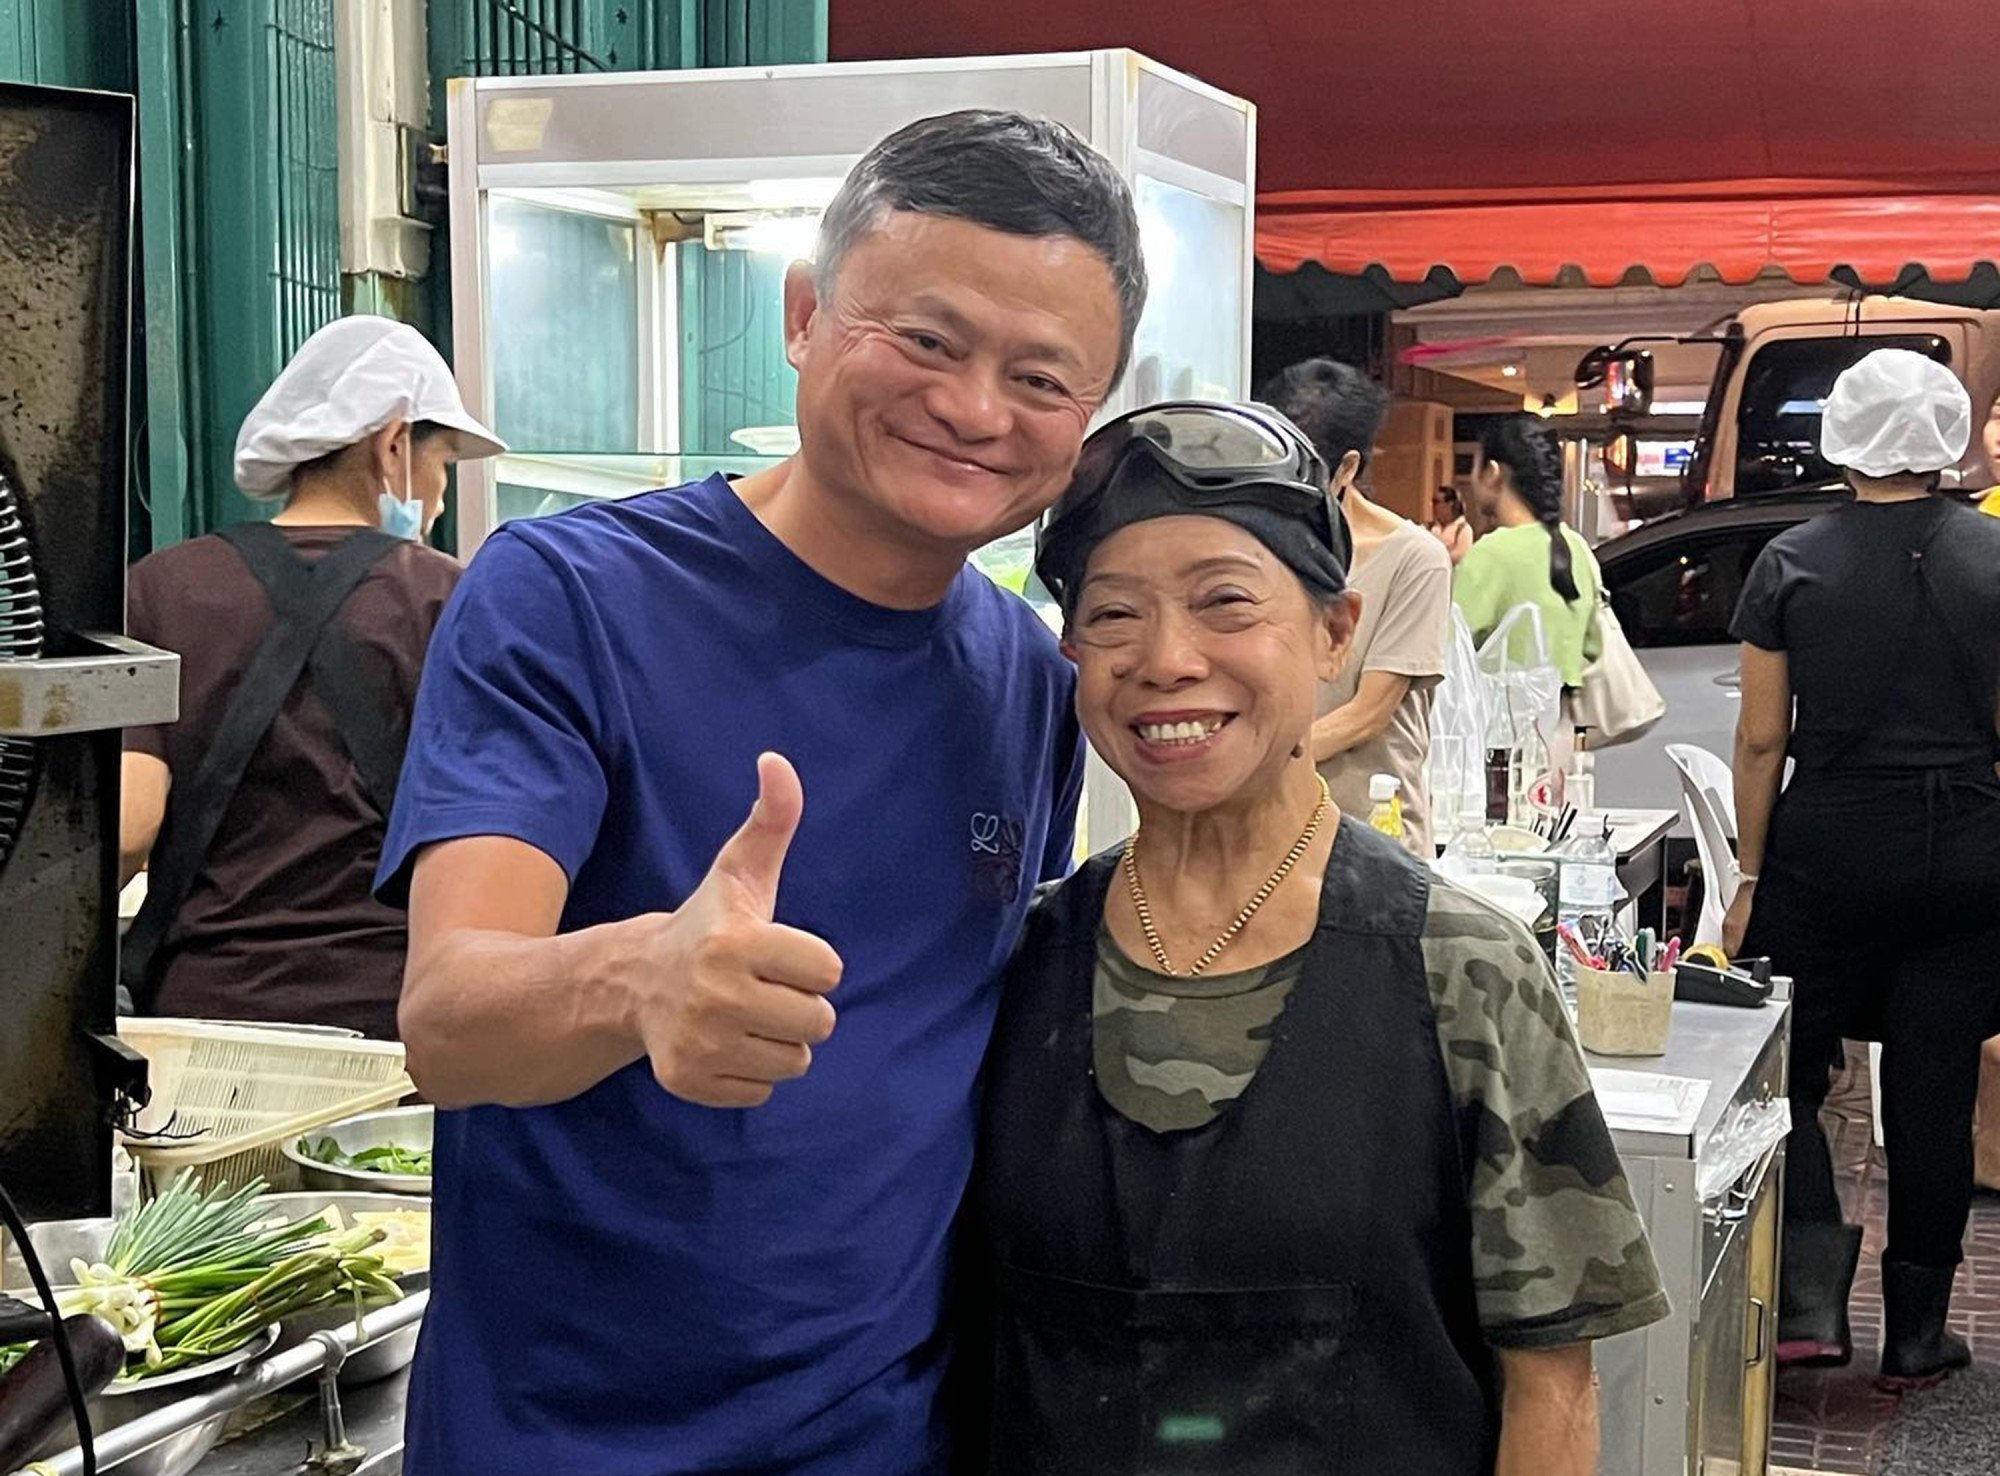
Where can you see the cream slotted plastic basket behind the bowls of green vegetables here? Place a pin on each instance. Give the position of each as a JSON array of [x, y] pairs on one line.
[[249, 1091]]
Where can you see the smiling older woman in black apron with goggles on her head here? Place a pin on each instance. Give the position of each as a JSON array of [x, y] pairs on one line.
[[1291, 1161]]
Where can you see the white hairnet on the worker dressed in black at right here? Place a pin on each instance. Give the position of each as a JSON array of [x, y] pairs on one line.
[[1893, 413]]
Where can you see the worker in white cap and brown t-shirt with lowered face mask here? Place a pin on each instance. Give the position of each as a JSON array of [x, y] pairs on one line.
[[259, 815]]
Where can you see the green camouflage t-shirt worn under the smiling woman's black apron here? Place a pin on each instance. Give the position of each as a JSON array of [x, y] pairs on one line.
[[1559, 1251]]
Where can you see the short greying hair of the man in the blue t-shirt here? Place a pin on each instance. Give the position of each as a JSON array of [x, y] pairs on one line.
[[1005, 171]]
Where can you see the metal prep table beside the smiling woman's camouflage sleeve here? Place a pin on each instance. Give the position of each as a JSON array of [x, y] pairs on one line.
[[1693, 1395]]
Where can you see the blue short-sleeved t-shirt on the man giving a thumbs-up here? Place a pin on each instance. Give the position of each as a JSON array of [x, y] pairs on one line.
[[629, 1285]]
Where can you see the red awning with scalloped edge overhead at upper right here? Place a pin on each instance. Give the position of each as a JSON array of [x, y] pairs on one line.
[[1485, 133]]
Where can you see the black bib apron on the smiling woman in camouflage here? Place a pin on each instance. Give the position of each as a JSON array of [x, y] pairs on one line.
[[1283, 1291]]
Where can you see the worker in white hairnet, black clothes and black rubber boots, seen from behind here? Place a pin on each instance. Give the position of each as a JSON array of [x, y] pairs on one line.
[[1873, 881]]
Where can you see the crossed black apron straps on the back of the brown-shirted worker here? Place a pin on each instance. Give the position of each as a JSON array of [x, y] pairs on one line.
[[305, 631]]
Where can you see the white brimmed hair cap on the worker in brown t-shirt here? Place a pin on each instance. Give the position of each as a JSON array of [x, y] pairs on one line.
[[345, 385]]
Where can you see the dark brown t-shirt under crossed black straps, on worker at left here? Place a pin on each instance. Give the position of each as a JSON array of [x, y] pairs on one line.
[[281, 923]]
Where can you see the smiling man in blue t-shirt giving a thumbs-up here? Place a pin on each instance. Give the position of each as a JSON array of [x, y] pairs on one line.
[[707, 1081]]
